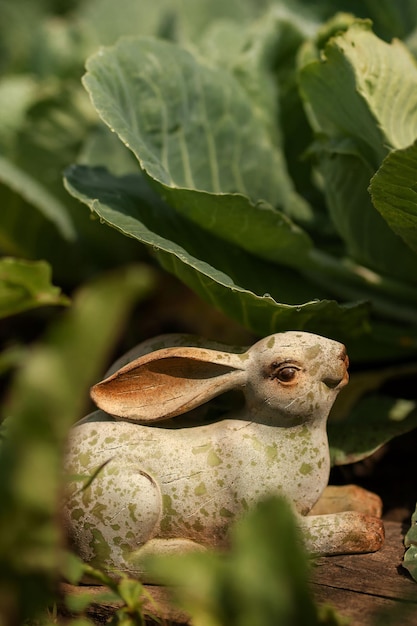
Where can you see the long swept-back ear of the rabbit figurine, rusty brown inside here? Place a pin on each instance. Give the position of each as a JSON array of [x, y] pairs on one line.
[[169, 382]]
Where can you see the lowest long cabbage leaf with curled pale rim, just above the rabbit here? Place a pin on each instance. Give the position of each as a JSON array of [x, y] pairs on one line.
[[244, 287]]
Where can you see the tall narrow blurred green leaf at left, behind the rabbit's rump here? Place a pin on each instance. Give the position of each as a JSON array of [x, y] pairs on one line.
[[47, 396]]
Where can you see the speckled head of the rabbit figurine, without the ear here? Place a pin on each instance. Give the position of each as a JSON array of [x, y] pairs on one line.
[[294, 376]]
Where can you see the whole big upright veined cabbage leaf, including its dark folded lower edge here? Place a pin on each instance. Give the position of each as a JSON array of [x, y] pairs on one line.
[[193, 130]]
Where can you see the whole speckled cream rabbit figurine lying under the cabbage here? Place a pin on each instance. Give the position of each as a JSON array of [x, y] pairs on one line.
[[157, 484]]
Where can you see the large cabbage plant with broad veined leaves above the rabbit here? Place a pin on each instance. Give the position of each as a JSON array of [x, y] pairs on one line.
[[274, 175]]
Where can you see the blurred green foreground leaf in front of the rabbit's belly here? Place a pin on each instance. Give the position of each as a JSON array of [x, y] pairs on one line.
[[262, 580]]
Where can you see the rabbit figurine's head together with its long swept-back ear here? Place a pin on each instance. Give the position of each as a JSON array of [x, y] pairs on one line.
[[287, 378]]
